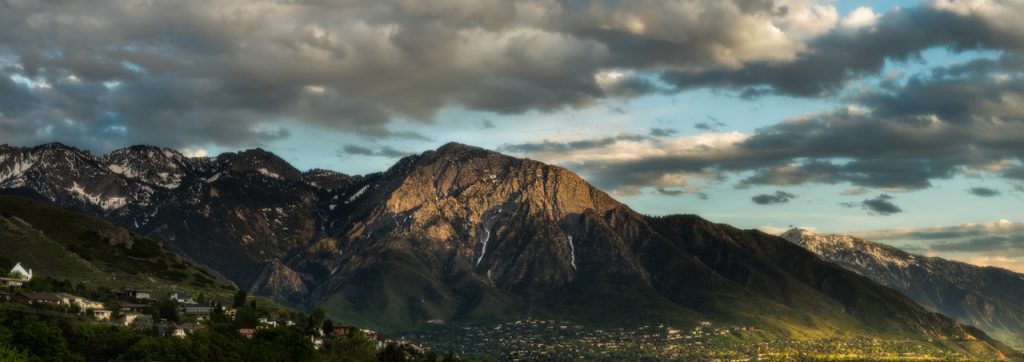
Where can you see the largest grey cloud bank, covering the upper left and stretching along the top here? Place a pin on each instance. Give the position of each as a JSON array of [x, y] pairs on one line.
[[195, 72]]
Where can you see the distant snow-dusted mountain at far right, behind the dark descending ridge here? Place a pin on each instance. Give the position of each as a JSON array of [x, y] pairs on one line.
[[985, 297]]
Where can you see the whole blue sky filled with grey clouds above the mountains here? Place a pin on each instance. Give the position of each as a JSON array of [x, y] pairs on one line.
[[898, 121]]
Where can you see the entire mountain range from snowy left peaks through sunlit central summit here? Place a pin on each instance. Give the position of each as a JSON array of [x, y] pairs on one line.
[[464, 235]]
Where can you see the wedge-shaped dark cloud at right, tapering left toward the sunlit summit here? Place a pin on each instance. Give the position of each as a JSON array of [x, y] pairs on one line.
[[934, 126]]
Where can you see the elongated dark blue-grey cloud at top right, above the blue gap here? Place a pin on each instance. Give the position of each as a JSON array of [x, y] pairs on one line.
[[845, 55]]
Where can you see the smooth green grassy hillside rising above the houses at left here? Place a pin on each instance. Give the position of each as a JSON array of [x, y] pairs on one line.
[[71, 246]]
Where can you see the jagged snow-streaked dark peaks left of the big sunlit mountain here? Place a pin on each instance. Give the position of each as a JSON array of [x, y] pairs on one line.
[[251, 206]]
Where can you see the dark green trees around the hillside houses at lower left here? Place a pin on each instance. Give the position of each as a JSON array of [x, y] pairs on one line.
[[42, 332]]
